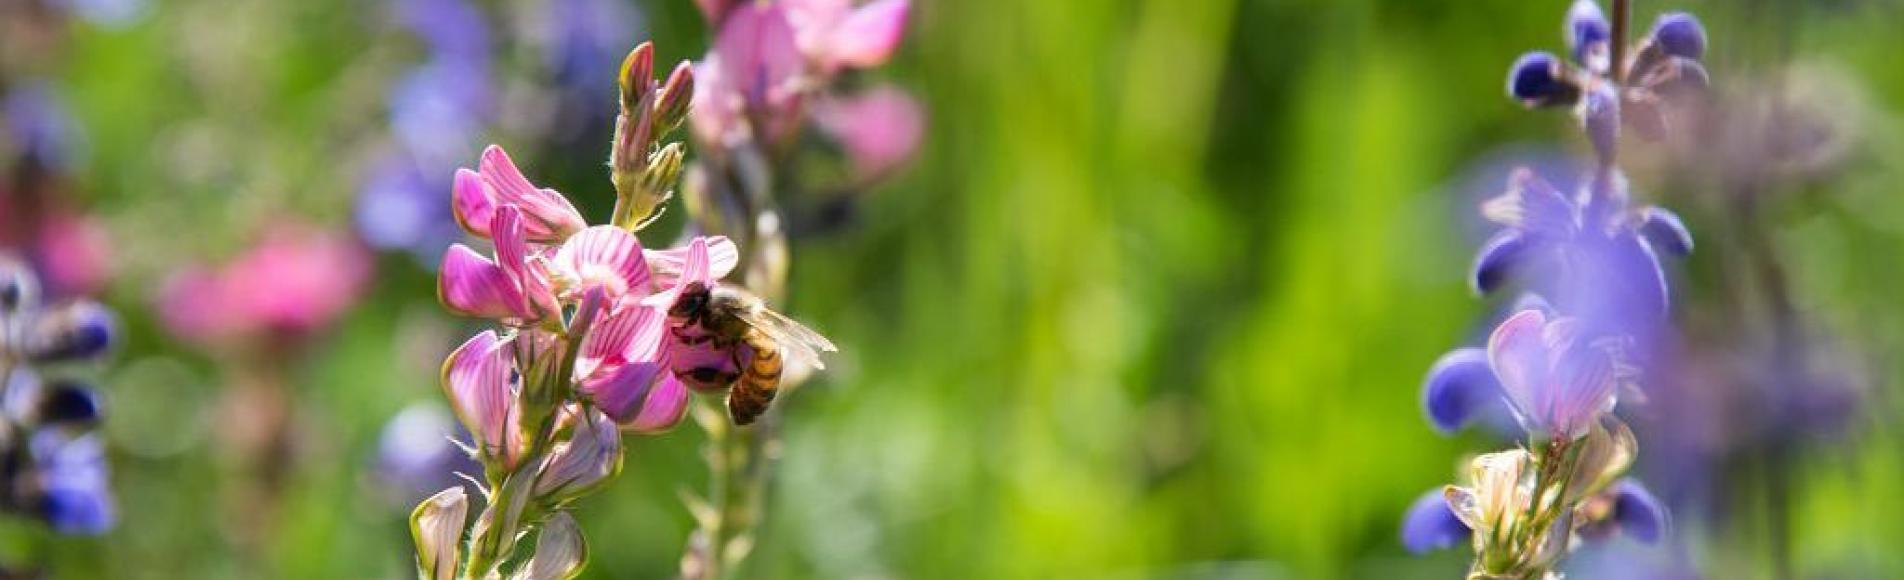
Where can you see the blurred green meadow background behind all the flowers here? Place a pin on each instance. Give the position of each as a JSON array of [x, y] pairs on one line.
[[1155, 300]]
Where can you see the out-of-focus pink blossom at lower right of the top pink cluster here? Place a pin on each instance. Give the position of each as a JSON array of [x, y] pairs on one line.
[[881, 128]]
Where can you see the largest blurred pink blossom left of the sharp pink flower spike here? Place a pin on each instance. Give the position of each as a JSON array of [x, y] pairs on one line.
[[296, 280]]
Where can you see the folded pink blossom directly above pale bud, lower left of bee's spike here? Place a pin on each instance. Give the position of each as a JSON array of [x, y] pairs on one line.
[[477, 379]]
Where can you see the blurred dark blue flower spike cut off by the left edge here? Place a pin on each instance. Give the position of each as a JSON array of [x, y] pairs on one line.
[[54, 463]]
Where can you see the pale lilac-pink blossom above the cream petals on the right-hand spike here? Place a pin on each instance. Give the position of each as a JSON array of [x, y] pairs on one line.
[[1553, 377]]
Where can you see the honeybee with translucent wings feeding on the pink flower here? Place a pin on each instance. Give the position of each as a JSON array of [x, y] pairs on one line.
[[723, 320]]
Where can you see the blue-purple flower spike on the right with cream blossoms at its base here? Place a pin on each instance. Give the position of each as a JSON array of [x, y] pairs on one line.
[[1595, 305]]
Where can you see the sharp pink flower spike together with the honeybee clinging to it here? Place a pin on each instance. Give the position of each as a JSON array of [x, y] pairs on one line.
[[597, 338]]
